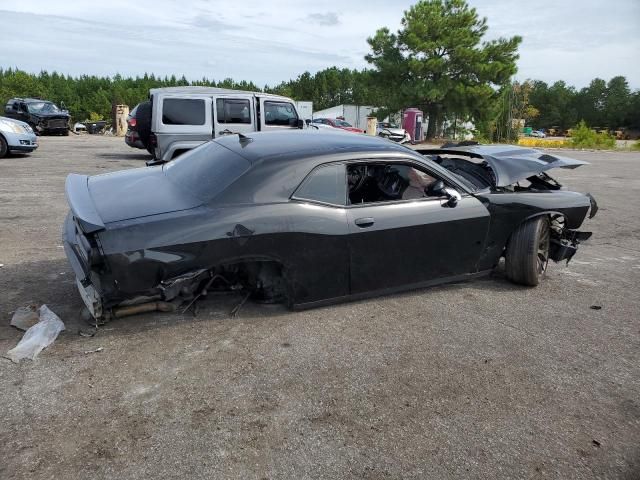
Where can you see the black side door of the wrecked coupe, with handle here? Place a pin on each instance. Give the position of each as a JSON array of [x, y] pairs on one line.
[[399, 241]]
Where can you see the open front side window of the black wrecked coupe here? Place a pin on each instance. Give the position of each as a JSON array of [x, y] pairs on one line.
[[387, 182]]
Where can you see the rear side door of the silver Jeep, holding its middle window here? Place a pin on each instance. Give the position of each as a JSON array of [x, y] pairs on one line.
[[234, 114]]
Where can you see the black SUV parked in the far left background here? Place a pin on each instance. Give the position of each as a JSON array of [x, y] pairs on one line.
[[42, 115]]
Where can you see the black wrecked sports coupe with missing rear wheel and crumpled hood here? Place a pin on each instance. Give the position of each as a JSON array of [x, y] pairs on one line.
[[313, 217]]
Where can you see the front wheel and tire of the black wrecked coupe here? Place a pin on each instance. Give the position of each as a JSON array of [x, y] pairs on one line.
[[527, 253]]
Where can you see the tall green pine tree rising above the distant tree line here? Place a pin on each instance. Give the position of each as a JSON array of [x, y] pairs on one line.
[[439, 61]]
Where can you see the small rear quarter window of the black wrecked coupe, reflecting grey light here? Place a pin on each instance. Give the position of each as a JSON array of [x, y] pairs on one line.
[[325, 184]]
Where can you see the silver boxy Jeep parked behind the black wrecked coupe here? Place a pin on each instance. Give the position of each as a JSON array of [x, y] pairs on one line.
[[184, 117]]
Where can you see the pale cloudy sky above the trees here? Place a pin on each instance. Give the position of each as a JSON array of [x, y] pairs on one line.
[[270, 41]]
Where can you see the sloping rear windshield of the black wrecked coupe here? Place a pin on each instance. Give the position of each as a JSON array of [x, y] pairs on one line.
[[206, 170]]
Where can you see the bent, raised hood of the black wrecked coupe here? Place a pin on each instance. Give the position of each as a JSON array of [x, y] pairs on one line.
[[510, 164]]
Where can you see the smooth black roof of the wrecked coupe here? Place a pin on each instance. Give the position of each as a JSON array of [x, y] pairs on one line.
[[293, 144]]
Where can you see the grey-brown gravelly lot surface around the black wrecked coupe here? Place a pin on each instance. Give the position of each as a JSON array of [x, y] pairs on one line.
[[473, 380]]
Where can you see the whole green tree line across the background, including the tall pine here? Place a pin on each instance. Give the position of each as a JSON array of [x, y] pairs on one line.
[[437, 61]]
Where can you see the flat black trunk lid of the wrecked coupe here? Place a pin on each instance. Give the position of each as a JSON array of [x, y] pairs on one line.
[[137, 193]]
